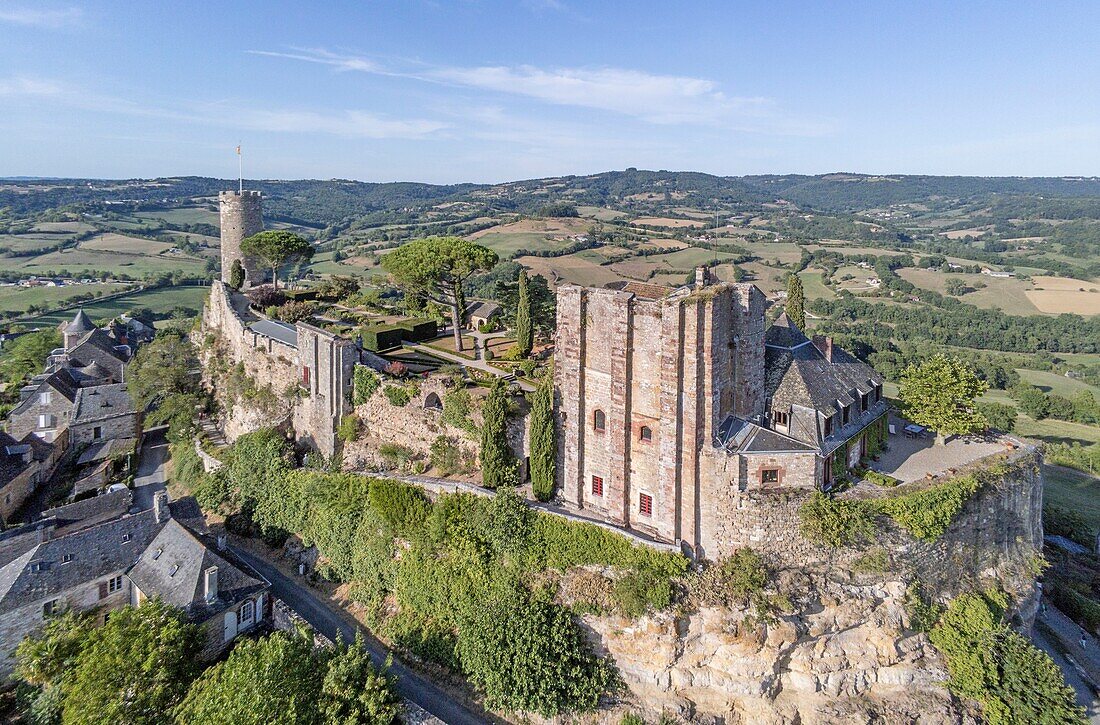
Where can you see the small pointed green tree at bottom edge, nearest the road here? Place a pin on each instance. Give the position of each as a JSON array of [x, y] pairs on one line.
[[355, 693]]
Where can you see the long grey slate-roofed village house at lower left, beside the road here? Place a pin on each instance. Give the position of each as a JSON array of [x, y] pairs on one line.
[[97, 556]]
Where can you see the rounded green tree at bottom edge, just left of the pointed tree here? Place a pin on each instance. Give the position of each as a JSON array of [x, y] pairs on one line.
[[277, 679]]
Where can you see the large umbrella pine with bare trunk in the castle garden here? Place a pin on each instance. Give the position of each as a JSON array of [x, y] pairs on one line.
[[435, 268]]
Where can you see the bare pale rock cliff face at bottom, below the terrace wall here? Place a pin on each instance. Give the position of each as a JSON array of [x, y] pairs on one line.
[[849, 656]]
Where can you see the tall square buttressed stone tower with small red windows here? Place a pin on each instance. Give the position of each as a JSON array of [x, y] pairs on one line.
[[644, 378]]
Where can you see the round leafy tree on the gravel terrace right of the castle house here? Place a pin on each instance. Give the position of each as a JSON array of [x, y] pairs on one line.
[[941, 393]]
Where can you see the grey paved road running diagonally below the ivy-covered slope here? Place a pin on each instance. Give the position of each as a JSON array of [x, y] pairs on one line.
[[331, 622]]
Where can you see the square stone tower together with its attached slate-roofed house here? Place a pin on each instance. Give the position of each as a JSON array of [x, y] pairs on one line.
[[674, 404]]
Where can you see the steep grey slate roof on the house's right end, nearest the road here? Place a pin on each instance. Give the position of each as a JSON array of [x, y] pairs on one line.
[[173, 568]]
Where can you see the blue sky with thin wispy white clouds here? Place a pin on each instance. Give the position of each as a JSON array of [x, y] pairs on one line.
[[477, 91]]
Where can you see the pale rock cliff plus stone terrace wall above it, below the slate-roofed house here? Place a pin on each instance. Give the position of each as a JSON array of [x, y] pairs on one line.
[[846, 650]]
